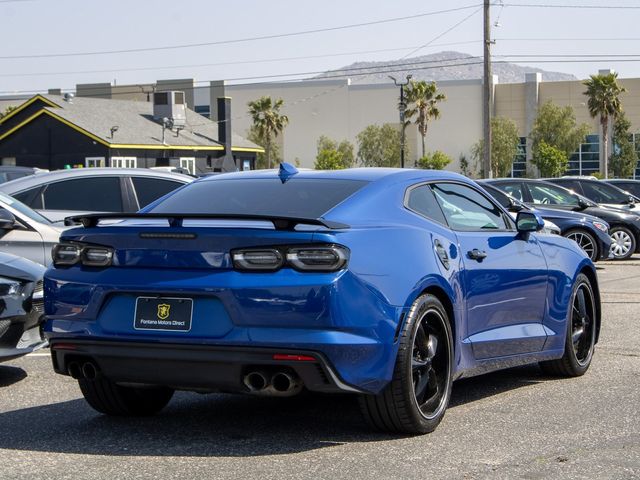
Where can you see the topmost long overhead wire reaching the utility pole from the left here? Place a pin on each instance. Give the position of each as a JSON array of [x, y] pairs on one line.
[[241, 40]]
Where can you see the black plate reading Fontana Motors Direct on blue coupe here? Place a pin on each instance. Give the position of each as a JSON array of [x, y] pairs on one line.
[[164, 313]]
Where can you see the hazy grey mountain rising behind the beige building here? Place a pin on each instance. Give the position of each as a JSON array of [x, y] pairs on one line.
[[437, 67]]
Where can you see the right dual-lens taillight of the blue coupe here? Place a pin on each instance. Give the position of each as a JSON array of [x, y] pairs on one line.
[[318, 258]]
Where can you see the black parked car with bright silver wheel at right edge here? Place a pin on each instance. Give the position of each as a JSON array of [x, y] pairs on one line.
[[624, 227]]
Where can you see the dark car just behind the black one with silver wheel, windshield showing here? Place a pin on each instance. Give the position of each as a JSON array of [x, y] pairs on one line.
[[600, 192]]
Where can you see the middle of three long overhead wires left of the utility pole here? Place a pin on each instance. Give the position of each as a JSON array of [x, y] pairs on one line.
[[240, 62]]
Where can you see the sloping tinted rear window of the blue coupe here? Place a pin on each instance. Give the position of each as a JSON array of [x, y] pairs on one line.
[[303, 198]]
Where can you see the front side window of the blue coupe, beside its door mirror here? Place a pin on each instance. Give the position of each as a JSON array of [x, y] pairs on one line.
[[466, 209]]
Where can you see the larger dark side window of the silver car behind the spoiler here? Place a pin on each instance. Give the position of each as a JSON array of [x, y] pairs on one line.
[[86, 194]]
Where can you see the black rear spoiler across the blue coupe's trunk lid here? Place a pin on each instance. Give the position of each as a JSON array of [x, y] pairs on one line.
[[175, 220]]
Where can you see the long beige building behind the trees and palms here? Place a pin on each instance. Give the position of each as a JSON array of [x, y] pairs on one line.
[[340, 109]]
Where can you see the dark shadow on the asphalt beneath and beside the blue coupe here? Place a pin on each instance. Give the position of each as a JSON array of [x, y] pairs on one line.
[[219, 425]]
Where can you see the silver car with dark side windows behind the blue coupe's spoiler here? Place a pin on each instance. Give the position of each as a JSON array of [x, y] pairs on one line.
[[62, 193]]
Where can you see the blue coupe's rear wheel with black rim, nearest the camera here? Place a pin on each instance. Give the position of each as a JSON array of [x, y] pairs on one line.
[[415, 400]]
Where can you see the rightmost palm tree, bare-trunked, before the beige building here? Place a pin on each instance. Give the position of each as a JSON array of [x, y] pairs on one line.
[[604, 101]]
